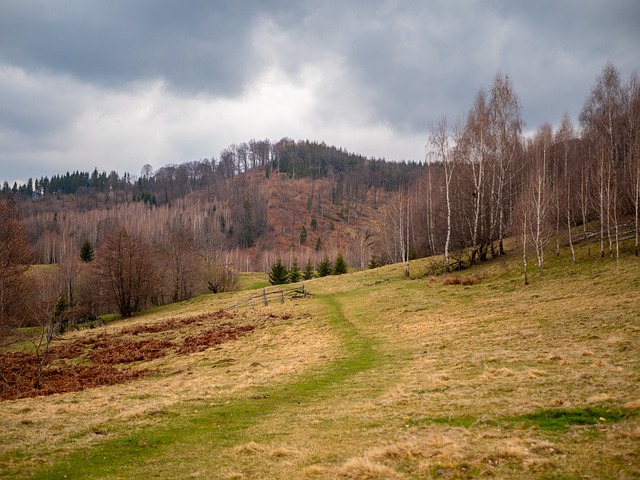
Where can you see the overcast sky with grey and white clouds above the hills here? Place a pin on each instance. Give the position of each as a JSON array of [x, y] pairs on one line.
[[121, 83]]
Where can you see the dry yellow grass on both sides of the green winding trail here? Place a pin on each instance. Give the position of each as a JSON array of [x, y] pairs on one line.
[[456, 366]]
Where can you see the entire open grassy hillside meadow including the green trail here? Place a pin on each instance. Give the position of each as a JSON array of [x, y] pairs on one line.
[[468, 375]]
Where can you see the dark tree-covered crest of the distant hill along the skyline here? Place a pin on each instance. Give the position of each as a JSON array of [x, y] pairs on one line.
[[299, 159]]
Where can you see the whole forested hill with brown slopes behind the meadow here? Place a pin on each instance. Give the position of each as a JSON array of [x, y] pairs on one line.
[[257, 202]]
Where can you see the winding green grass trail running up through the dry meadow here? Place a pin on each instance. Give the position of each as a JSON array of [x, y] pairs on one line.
[[200, 428]]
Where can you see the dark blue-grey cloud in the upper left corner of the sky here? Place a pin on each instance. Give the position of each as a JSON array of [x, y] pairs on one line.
[[195, 45]]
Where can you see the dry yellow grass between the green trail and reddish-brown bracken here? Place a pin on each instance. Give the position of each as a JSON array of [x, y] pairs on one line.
[[274, 352]]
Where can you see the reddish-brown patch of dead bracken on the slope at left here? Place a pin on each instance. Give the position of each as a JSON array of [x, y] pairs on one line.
[[90, 361]]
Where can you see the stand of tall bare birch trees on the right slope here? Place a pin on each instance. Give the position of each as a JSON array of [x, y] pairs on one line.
[[486, 180]]
